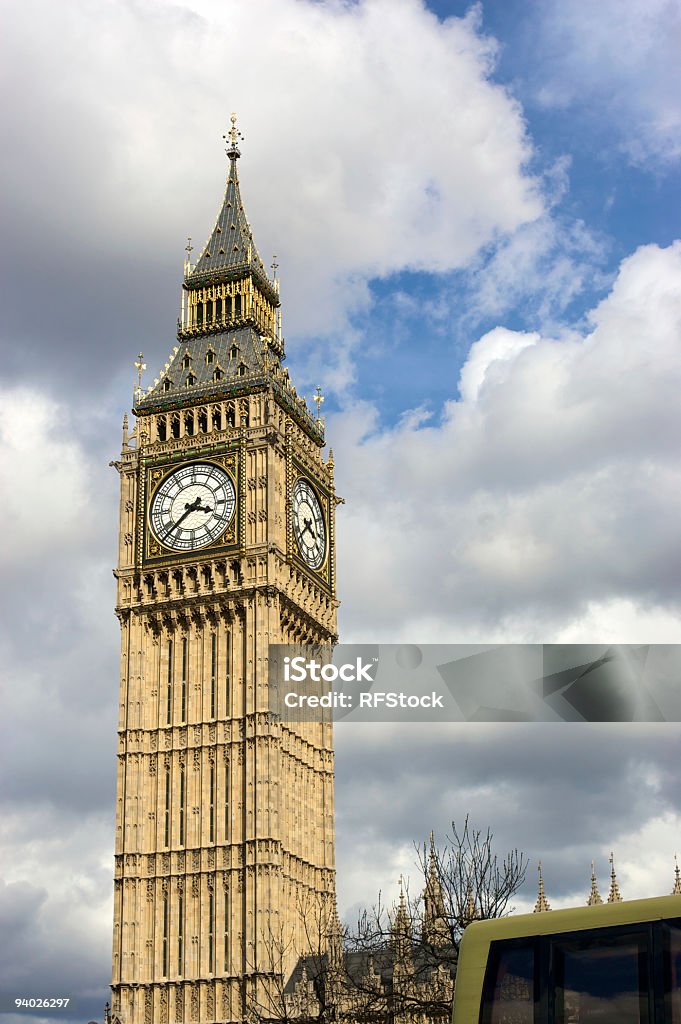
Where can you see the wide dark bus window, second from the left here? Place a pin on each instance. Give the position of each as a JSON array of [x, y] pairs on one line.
[[602, 982]]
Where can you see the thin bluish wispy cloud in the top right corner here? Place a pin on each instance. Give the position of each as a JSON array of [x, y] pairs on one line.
[[620, 58]]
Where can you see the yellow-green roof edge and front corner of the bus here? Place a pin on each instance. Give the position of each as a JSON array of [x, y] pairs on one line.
[[475, 949]]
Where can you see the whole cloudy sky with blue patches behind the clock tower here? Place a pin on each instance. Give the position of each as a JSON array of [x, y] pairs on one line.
[[476, 214]]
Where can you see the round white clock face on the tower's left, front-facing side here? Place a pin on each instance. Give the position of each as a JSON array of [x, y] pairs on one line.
[[193, 506]]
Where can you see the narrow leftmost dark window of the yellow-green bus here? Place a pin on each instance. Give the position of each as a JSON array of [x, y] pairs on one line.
[[510, 988]]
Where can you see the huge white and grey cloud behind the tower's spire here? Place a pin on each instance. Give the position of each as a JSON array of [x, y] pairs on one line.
[[375, 141]]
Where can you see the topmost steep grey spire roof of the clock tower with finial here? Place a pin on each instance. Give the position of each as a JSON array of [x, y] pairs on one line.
[[231, 251]]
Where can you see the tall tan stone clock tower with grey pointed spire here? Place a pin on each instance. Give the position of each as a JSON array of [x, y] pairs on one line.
[[225, 826]]
